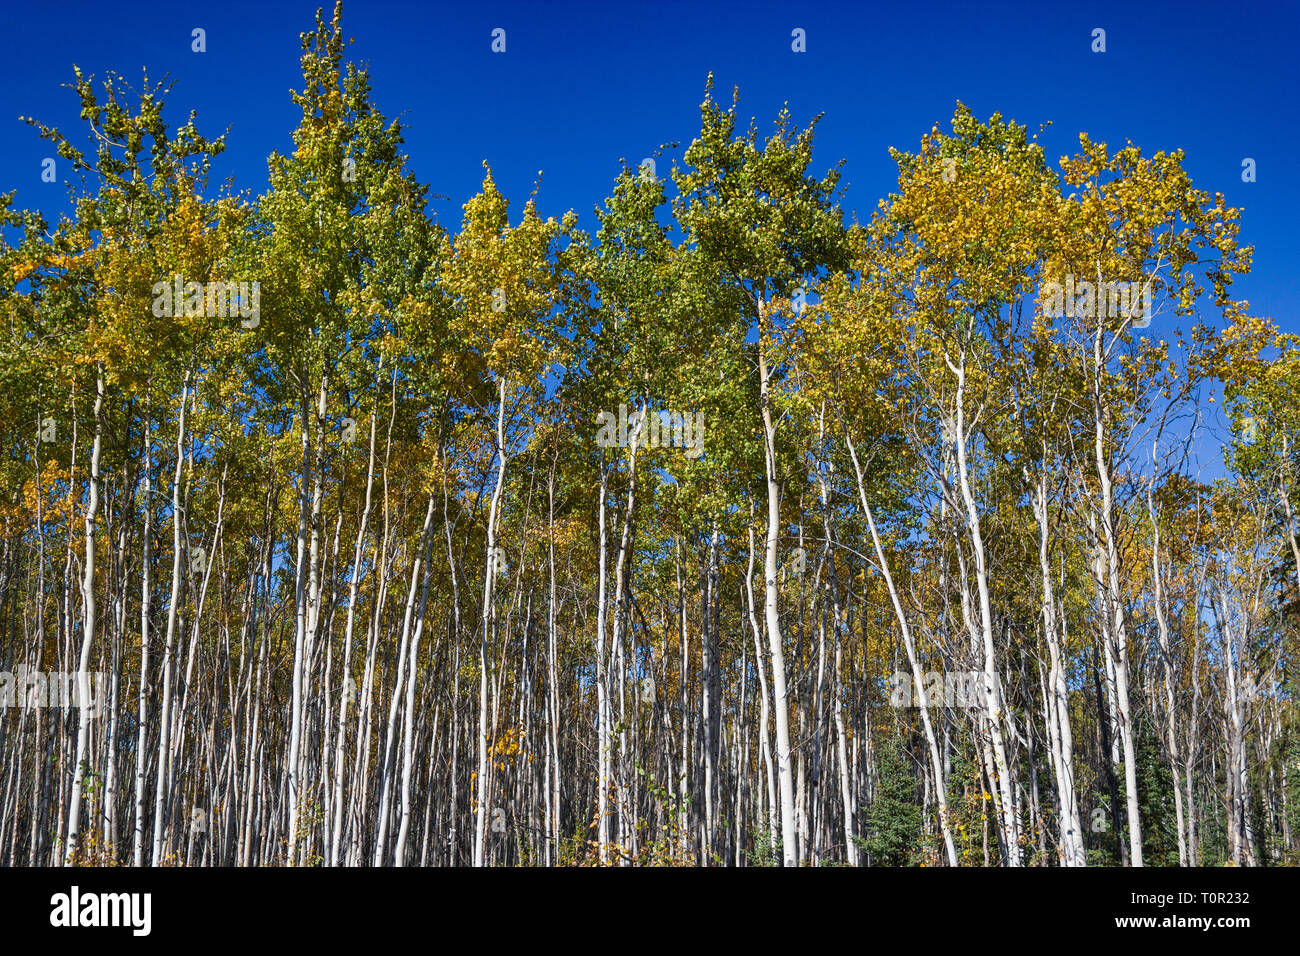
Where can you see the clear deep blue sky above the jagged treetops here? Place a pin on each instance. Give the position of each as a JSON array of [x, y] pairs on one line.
[[583, 85]]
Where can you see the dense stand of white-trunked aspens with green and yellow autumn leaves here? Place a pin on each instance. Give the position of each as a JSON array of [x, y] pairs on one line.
[[733, 531]]
